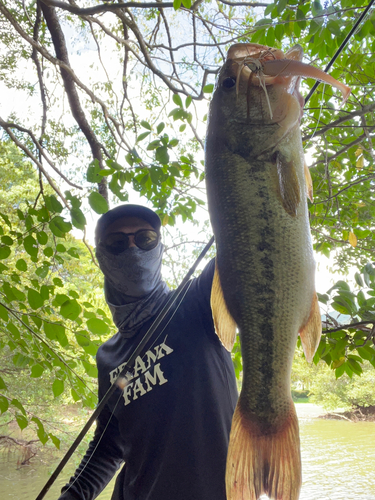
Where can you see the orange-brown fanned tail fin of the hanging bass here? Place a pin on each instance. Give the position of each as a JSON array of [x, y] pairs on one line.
[[259, 463]]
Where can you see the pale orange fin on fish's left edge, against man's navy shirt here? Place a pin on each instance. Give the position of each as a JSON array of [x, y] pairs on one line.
[[225, 326]]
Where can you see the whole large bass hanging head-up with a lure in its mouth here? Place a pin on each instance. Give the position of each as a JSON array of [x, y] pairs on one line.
[[257, 187]]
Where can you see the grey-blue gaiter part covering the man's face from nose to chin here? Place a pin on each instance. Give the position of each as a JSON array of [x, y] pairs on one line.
[[134, 272]]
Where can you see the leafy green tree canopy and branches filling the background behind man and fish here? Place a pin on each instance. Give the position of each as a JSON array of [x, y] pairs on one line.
[[111, 104]]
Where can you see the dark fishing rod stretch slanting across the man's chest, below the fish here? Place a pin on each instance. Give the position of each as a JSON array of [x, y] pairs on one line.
[[128, 366]]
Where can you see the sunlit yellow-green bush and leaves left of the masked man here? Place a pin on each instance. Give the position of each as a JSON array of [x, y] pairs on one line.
[[46, 307]]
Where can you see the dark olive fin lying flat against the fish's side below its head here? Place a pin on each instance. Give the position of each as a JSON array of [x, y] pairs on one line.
[[290, 191]]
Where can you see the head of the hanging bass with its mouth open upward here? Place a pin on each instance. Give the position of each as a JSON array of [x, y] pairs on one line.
[[245, 94]]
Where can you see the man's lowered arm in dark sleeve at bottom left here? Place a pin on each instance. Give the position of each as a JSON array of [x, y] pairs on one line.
[[101, 461]]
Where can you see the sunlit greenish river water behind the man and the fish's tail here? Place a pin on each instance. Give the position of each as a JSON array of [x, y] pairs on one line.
[[338, 459]]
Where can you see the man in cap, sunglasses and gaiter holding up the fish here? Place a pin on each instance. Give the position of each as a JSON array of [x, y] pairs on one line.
[[169, 424]]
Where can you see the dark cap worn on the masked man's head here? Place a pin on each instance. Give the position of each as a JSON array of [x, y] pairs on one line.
[[121, 211]]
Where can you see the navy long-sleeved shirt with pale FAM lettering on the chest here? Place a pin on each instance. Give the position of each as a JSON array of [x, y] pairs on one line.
[[171, 423]]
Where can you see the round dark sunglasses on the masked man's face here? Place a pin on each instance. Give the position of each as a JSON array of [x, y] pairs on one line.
[[145, 239]]
